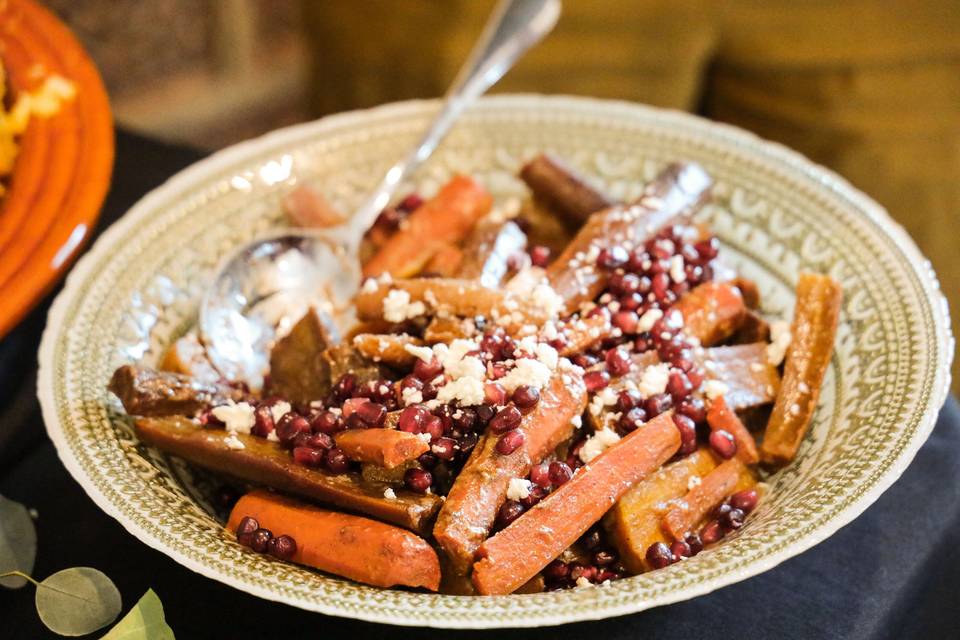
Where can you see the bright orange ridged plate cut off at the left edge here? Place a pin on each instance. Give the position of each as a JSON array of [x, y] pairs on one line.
[[62, 173]]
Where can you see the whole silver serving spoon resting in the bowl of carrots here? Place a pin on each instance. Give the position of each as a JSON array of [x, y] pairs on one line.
[[269, 283]]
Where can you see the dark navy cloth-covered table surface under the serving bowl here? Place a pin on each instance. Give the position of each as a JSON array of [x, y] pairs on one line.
[[892, 573]]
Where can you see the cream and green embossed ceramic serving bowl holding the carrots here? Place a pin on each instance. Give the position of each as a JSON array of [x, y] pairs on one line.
[[776, 213]]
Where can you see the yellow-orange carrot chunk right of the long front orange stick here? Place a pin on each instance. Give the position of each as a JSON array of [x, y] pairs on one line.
[[634, 522]]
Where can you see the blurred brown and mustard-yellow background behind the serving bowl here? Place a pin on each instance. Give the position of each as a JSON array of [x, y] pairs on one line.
[[870, 88]]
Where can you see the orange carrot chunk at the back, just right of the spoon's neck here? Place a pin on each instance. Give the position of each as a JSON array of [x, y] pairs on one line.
[[446, 218]]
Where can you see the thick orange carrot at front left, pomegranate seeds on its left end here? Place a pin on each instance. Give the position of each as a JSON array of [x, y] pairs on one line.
[[358, 548]]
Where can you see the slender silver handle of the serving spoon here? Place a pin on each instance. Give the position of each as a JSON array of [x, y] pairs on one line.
[[513, 27]]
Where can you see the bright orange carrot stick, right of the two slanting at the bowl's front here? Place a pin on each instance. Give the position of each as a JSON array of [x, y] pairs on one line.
[[519, 552]]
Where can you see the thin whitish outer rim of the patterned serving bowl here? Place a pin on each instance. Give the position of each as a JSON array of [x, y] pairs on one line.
[[728, 135]]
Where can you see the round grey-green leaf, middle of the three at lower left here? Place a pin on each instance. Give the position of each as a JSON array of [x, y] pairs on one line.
[[77, 601]]
